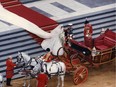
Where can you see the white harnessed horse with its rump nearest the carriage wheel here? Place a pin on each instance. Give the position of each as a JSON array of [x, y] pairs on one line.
[[52, 68]]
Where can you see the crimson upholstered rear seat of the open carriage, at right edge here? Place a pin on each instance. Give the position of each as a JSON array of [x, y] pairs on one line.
[[105, 41]]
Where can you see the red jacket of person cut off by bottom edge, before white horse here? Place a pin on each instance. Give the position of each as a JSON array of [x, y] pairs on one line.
[[42, 80]]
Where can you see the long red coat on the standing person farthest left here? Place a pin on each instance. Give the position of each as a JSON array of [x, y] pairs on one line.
[[9, 68]]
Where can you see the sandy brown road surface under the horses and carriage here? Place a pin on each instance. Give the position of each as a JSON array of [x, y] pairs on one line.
[[104, 76]]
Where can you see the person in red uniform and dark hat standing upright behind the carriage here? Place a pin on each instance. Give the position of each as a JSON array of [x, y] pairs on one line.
[[88, 30]]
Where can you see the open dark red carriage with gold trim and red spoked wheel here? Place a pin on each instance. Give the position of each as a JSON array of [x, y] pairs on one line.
[[78, 57]]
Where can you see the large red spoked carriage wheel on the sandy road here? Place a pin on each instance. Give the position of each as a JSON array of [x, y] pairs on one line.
[[80, 75]]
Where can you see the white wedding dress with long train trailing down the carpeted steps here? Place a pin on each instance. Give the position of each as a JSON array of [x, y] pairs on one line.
[[52, 39]]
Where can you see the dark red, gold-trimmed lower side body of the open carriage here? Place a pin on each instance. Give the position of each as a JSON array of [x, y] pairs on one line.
[[100, 57]]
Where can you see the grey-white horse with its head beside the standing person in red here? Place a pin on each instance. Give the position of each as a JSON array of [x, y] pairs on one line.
[[26, 63]]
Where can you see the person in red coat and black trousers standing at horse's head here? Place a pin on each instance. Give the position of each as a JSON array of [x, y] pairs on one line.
[[9, 70]]
